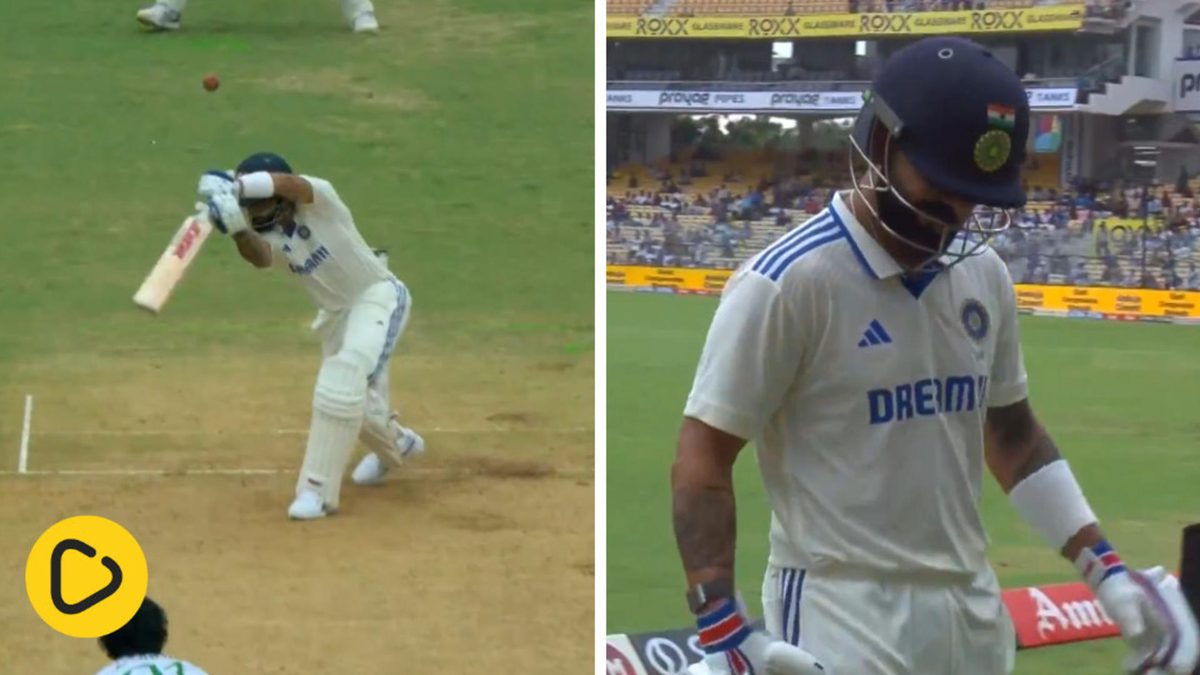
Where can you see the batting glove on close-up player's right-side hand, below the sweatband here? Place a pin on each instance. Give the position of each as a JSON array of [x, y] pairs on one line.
[[1149, 608]]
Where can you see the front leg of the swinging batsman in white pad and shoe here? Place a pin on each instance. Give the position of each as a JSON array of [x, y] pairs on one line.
[[338, 405]]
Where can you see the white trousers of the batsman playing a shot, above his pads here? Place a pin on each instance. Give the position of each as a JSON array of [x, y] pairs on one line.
[[371, 326]]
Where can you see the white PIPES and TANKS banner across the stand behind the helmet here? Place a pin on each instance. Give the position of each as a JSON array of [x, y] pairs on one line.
[[715, 101]]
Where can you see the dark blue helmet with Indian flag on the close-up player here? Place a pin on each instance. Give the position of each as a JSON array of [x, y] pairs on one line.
[[962, 117]]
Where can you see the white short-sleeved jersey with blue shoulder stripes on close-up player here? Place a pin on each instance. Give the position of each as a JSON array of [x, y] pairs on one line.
[[866, 396]]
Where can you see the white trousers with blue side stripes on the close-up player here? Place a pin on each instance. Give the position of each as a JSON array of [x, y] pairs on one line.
[[892, 626]]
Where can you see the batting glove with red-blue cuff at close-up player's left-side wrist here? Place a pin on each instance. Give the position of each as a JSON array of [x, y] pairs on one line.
[[734, 648]]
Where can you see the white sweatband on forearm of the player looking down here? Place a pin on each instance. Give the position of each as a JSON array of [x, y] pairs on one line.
[[1053, 503]]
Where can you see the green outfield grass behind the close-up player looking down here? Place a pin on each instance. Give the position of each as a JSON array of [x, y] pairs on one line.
[[1120, 399]]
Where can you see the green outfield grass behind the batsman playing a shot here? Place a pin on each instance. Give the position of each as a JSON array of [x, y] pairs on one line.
[[461, 138]]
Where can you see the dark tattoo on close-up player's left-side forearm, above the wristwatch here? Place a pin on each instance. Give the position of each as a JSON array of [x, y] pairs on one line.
[[706, 530]]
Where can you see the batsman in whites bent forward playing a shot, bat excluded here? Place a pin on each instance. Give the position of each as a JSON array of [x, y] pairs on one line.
[[298, 223]]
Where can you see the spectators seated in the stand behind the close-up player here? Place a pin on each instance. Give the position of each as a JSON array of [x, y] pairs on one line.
[[1088, 235]]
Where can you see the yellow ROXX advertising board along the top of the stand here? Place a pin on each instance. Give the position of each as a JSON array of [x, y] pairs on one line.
[[1028, 20]]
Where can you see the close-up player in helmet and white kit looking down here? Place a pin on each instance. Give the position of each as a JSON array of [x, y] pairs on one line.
[[873, 357]]
